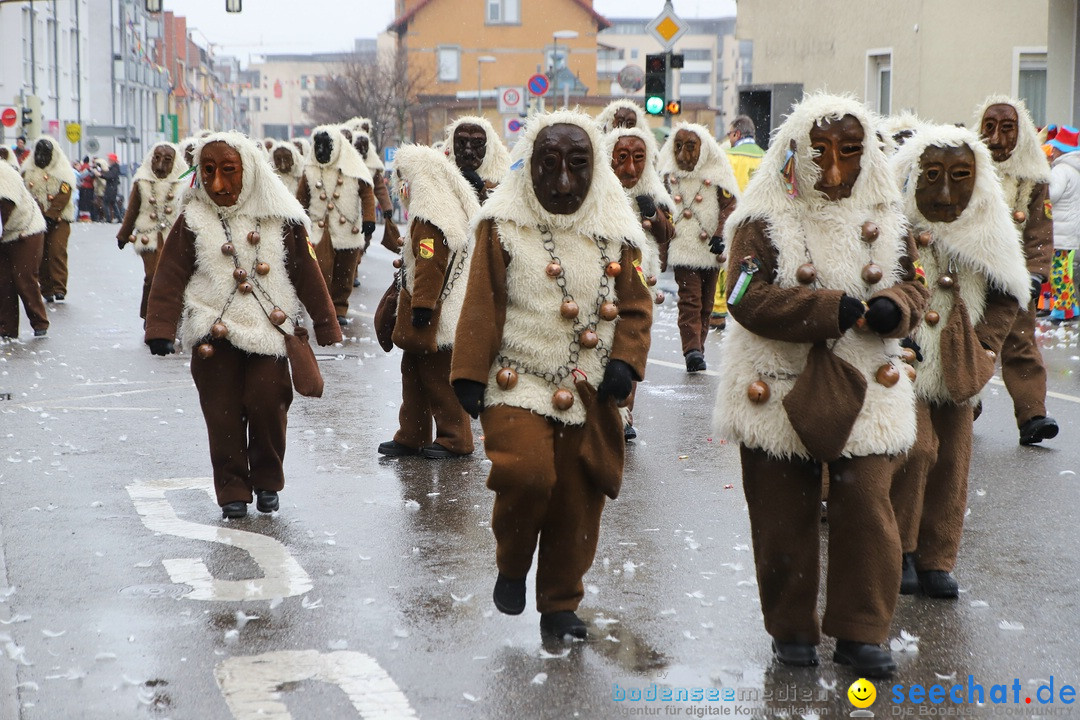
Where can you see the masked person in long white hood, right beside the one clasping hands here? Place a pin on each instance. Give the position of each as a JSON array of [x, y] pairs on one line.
[[975, 268]]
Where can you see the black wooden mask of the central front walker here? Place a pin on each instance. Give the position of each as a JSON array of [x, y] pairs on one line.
[[562, 168]]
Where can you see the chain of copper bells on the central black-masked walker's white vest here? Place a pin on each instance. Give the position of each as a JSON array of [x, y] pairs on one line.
[[584, 333]]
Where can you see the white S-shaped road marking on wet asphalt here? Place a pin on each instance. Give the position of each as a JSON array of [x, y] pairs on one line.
[[282, 576]]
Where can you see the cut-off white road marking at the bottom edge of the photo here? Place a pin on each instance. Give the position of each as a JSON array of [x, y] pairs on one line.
[[252, 685]]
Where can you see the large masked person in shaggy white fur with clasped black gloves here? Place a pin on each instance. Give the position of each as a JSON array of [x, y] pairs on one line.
[[821, 284]]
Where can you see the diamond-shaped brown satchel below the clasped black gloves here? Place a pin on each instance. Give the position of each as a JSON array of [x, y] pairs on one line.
[[826, 402]]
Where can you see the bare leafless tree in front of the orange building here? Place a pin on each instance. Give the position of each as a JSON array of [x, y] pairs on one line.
[[383, 89]]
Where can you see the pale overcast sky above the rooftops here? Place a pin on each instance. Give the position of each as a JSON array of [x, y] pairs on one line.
[[310, 26]]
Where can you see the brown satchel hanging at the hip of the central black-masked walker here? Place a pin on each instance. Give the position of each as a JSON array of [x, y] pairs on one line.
[[603, 449]]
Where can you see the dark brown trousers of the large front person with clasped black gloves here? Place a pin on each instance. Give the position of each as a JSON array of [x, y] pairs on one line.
[[863, 581]]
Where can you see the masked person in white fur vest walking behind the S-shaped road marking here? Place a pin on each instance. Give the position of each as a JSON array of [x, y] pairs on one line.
[[237, 266]]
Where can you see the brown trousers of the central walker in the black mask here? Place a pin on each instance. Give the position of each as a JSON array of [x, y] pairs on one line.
[[542, 494]]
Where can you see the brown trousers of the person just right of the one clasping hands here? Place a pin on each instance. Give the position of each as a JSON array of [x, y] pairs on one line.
[[930, 491]]
